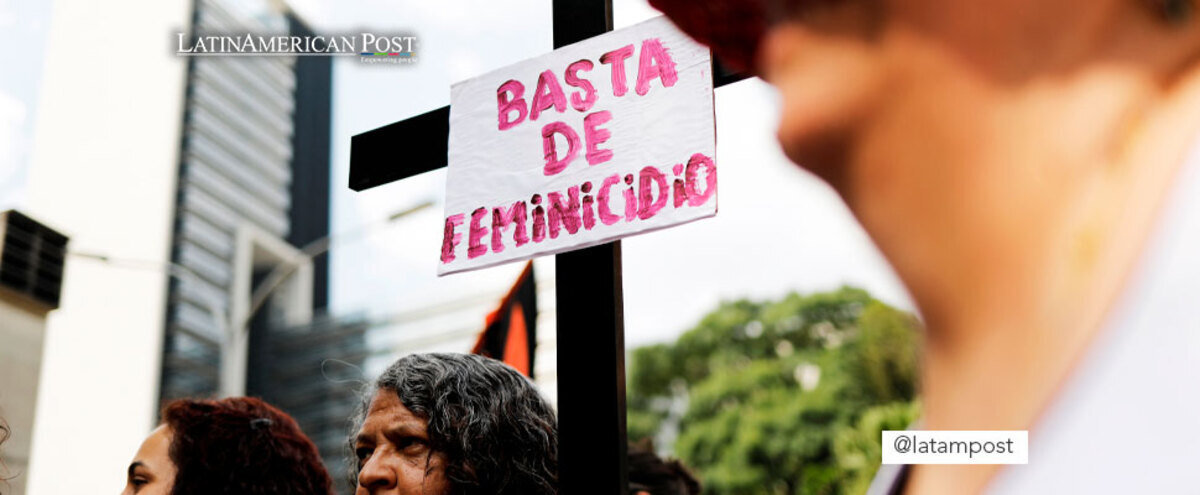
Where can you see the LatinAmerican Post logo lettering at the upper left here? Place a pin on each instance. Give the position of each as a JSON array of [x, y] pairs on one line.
[[369, 47]]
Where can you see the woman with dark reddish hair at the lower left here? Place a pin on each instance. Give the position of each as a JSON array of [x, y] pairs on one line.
[[229, 446]]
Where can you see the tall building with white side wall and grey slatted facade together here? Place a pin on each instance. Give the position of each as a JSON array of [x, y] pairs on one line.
[[184, 182]]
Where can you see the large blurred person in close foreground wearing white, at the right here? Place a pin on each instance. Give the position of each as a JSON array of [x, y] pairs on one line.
[[1031, 170]]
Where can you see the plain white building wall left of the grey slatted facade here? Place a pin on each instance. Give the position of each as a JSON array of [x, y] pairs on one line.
[[103, 171]]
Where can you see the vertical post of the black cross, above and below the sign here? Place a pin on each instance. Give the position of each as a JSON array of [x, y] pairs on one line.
[[591, 329]]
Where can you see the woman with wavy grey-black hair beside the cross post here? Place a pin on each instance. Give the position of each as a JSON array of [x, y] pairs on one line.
[[463, 425]]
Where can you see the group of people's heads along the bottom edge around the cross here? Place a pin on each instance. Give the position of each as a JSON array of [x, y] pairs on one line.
[[431, 425]]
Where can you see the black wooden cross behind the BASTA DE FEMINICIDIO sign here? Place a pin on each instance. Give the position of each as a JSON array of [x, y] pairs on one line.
[[591, 312]]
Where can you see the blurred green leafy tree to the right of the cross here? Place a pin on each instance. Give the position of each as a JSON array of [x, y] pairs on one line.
[[783, 397]]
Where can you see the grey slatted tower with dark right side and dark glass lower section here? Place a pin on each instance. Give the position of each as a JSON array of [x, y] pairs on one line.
[[254, 190]]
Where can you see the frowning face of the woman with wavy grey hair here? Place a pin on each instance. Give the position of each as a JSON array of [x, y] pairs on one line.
[[394, 454]]
